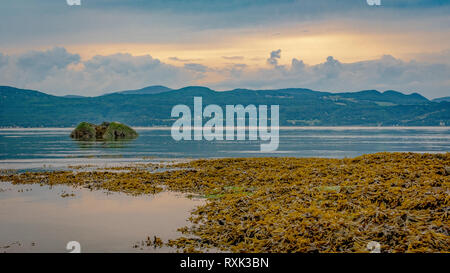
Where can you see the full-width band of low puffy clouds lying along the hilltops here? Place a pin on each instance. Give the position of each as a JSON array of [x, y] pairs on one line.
[[59, 72]]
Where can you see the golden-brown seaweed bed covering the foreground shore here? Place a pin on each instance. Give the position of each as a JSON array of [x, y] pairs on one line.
[[400, 200]]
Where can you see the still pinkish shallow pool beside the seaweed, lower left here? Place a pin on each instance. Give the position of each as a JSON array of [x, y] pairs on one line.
[[38, 219]]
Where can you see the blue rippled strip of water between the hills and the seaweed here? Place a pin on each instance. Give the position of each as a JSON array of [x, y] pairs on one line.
[[33, 148]]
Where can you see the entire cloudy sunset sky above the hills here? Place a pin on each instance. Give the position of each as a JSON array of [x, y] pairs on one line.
[[103, 46]]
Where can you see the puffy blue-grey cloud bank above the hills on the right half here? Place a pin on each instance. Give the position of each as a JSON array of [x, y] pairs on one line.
[[384, 73]]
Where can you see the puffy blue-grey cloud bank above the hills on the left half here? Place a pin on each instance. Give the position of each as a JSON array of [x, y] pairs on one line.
[[58, 72]]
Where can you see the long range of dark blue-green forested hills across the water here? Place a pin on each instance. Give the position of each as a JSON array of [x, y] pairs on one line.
[[299, 107]]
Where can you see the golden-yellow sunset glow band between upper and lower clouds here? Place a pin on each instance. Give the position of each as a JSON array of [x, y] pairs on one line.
[[253, 50]]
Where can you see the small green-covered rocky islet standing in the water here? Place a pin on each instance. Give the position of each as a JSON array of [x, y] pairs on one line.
[[104, 131]]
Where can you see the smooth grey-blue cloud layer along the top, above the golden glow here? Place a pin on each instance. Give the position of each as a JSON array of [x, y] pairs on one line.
[[53, 22]]
